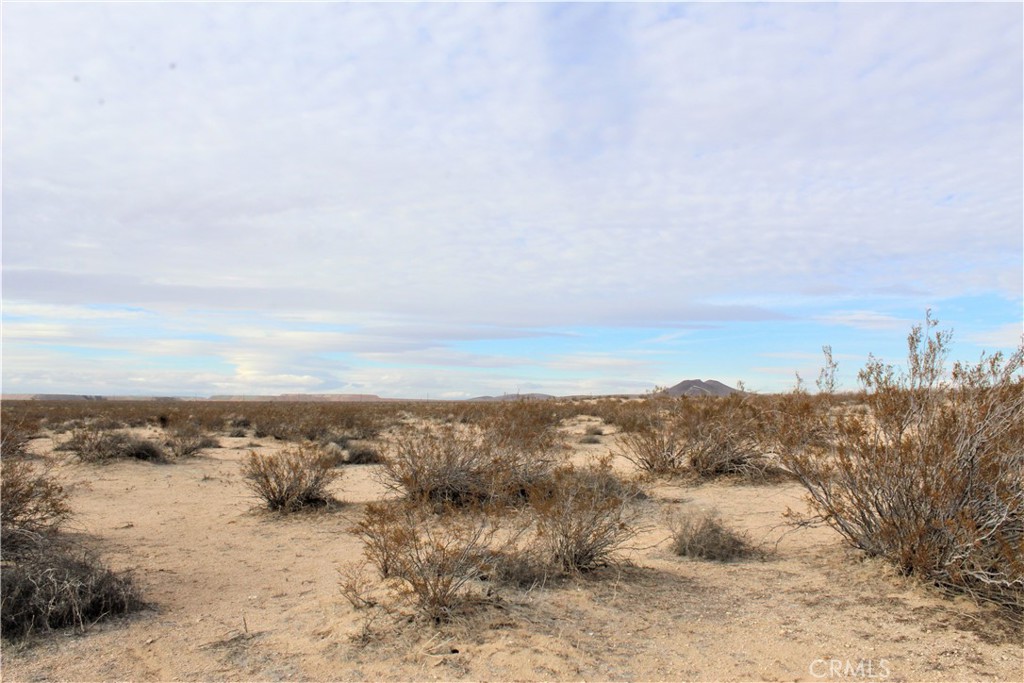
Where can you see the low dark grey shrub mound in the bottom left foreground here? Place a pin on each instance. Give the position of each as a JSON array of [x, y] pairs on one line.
[[52, 587]]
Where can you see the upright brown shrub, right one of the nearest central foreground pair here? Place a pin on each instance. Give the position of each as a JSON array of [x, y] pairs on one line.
[[583, 517]]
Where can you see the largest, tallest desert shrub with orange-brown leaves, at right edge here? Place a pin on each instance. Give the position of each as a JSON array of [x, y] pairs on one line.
[[931, 479]]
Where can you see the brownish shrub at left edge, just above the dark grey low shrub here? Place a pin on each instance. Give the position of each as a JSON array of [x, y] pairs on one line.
[[33, 503]]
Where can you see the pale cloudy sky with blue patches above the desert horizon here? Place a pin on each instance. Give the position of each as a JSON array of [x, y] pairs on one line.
[[455, 200]]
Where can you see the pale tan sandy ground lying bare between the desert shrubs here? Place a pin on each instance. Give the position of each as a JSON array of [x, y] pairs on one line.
[[240, 594]]
